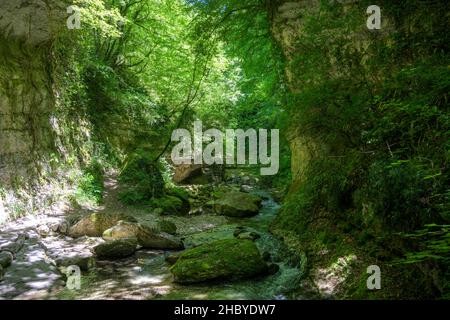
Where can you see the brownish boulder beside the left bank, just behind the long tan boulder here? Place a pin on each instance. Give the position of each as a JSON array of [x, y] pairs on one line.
[[94, 224]]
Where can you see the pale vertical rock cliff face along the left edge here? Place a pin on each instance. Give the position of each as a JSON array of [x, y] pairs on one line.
[[29, 127]]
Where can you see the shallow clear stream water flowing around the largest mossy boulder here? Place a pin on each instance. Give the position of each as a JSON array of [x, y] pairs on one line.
[[146, 275]]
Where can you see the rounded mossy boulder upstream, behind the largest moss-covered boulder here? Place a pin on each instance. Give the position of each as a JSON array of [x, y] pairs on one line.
[[237, 204]]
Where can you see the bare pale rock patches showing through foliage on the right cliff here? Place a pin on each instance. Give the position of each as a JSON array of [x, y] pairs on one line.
[[291, 23]]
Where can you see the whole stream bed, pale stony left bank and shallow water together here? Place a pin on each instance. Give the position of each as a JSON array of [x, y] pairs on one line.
[[146, 274]]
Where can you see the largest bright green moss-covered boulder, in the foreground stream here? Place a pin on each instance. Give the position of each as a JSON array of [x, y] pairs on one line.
[[222, 259]]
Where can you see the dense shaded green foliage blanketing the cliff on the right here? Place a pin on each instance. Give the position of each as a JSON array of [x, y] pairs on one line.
[[371, 110]]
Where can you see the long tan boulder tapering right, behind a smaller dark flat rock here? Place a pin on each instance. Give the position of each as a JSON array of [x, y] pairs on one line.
[[147, 236]]
